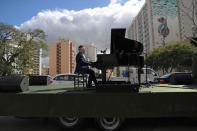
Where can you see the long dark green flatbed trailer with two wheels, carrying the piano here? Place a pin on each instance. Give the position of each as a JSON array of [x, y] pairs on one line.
[[109, 109]]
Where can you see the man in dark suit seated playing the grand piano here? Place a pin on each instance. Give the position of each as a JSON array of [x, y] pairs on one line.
[[83, 66]]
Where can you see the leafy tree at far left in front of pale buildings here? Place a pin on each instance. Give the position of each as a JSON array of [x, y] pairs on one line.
[[17, 48]]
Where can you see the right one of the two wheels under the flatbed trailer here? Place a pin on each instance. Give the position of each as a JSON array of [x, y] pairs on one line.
[[109, 124]]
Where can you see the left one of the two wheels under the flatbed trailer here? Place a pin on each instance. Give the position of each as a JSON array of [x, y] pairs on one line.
[[69, 122]]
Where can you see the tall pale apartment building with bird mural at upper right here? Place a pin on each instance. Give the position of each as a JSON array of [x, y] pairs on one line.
[[160, 22]]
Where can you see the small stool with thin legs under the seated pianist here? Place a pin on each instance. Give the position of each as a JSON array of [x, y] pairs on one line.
[[80, 80]]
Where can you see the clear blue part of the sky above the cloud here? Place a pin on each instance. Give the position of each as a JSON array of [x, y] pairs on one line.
[[16, 12]]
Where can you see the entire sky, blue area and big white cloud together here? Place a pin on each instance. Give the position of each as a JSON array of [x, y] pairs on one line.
[[81, 21]]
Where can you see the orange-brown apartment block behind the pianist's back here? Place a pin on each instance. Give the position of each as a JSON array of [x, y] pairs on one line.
[[61, 57]]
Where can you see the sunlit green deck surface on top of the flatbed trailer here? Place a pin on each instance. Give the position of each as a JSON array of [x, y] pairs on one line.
[[163, 88]]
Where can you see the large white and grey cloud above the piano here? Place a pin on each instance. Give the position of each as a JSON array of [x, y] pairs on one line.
[[91, 25]]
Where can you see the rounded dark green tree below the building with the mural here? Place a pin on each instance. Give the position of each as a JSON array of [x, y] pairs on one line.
[[174, 56]]
